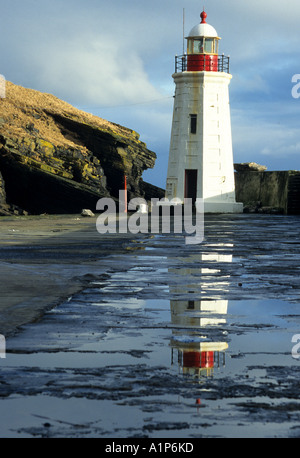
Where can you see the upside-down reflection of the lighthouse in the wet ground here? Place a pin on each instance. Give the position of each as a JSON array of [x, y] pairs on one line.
[[197, 334]]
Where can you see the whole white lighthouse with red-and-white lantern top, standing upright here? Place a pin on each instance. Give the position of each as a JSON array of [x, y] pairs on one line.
[[201, 159]]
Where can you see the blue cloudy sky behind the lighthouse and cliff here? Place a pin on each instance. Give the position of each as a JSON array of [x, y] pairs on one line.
[[115, 59]]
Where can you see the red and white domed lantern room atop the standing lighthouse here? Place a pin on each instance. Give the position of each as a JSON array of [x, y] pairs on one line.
[[202, 47]]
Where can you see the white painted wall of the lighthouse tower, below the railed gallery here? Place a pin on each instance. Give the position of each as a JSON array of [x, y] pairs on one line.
[[210, 149]]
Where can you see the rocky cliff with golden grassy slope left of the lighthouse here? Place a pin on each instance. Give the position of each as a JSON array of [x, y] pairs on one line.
[[57, 159]]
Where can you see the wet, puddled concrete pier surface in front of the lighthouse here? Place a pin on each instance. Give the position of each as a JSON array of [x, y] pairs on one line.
[[155, 338]]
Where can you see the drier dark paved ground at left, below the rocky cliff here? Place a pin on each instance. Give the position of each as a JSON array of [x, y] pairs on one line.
[[44, 260]]
